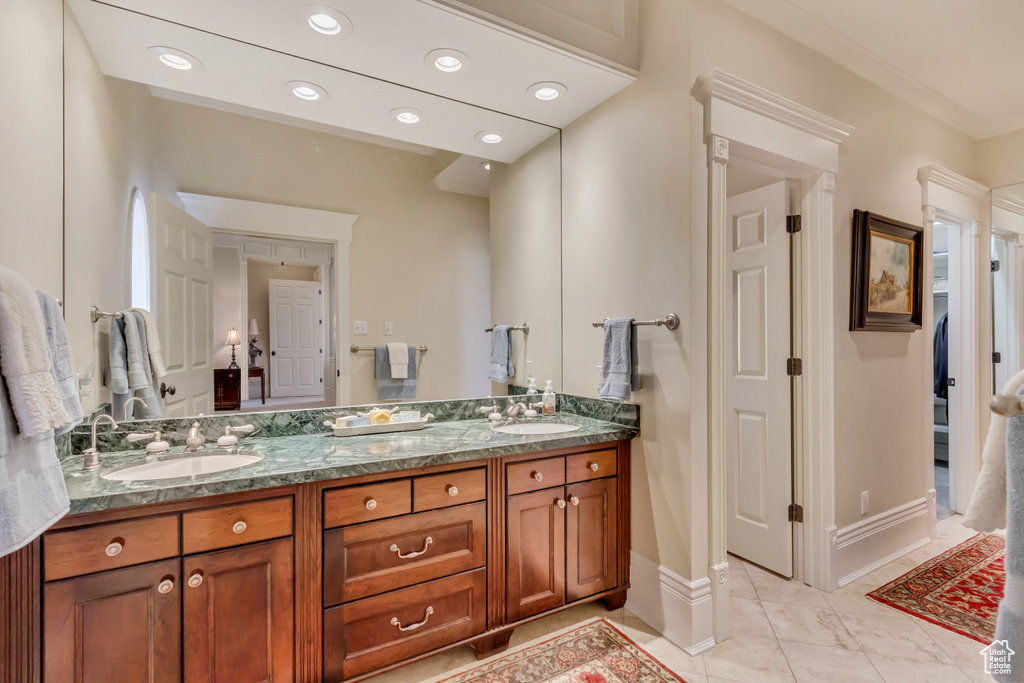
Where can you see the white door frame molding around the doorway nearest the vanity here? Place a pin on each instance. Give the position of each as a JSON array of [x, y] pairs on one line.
[[750, 125]]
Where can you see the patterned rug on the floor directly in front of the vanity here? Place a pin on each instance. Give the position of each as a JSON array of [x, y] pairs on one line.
[[592, 653]]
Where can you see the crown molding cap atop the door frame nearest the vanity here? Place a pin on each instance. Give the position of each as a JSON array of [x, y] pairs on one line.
[[730, 89]]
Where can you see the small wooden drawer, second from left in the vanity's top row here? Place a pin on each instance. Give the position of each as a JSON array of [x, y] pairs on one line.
[[236, 525]]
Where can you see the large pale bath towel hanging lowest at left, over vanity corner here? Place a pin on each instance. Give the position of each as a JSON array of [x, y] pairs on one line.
[[32, 487]]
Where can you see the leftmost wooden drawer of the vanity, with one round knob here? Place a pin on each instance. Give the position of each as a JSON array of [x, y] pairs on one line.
[[110, 546]]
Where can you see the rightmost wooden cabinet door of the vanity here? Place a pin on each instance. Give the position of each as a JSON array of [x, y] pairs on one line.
[[591, 543]]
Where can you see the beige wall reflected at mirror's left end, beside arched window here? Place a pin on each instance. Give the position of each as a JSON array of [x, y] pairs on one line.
[[108, 155]]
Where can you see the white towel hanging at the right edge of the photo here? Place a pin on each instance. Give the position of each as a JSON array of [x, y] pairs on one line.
[[988, 510]]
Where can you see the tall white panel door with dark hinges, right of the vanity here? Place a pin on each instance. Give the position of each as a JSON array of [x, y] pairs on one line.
[[758, 390]]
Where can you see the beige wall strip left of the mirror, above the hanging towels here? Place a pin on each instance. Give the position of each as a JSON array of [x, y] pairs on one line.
[[31, 142]]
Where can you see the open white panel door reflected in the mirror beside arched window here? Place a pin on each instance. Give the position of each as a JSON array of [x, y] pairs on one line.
[[184, 307]]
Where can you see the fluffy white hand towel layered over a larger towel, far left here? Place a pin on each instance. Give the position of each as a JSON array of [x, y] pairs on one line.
[[25, 359]]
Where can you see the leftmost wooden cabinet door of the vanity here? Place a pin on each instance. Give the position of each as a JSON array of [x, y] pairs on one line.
[[122, 625]]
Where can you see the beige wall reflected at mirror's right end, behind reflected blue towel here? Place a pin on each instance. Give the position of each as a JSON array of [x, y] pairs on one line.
[[527, 271]]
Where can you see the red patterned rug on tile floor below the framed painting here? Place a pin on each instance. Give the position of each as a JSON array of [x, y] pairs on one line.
[[959, 590]]
